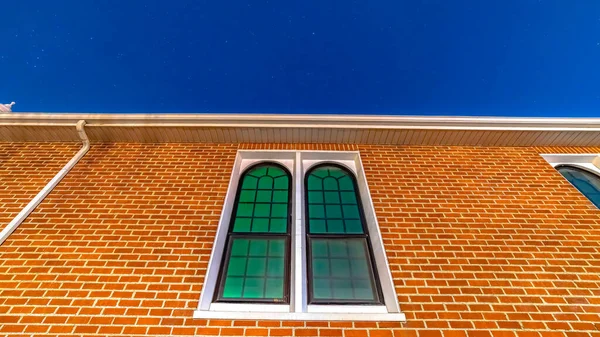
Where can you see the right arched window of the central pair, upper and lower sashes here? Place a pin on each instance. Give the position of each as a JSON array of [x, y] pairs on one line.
[[340, 256]]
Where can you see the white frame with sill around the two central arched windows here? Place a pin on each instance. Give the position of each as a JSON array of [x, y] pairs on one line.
[[298, 163]]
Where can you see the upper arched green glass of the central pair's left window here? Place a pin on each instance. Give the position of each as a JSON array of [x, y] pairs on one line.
[[263, 201]]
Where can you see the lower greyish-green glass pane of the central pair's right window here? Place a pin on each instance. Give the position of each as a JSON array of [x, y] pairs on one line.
[[341, 270]]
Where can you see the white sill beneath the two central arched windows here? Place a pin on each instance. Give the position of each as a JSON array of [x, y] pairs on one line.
[[300, 316]]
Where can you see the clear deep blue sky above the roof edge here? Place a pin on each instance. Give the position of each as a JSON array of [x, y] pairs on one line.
[[434, 57]]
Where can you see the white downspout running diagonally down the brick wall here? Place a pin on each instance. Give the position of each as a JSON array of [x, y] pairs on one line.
[[50, 186]]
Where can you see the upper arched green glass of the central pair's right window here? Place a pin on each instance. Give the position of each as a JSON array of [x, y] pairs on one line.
[[333, 207]]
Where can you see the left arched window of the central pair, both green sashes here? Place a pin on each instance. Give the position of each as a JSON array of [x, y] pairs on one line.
[[256, 264]]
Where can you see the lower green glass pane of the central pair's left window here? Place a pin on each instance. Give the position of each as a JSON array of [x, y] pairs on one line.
[[255, 269]]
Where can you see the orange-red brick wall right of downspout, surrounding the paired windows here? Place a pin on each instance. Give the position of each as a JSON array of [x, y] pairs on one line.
[[481, 241]]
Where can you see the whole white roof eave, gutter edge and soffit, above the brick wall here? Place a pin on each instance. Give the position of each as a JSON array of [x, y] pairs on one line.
[[341, 129]]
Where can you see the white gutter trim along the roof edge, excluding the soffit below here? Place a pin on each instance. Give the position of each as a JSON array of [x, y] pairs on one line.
[[304, 121]]
